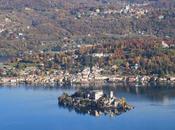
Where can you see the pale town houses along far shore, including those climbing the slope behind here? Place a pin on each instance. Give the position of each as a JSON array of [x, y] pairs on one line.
[[32, 75]]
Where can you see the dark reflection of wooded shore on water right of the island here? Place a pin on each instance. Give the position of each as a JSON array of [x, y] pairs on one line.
[[156, 93]]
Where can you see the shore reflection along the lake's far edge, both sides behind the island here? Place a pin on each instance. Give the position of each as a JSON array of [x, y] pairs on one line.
[[152, 93]]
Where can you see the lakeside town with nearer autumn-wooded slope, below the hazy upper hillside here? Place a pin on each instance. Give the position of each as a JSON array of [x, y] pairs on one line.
[[86, 66]]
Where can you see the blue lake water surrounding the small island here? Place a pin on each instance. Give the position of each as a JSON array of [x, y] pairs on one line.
[[26, 108]]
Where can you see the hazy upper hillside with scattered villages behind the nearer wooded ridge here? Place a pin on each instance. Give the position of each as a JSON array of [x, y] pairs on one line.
[[46, 25]]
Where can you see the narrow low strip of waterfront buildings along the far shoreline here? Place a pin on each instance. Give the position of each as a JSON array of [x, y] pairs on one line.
[[124, 81]]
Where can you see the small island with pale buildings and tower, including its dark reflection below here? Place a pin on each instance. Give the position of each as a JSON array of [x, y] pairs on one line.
[[94, 102]]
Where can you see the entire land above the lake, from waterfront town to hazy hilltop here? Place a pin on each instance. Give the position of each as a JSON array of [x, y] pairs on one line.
[[87, 43]]
